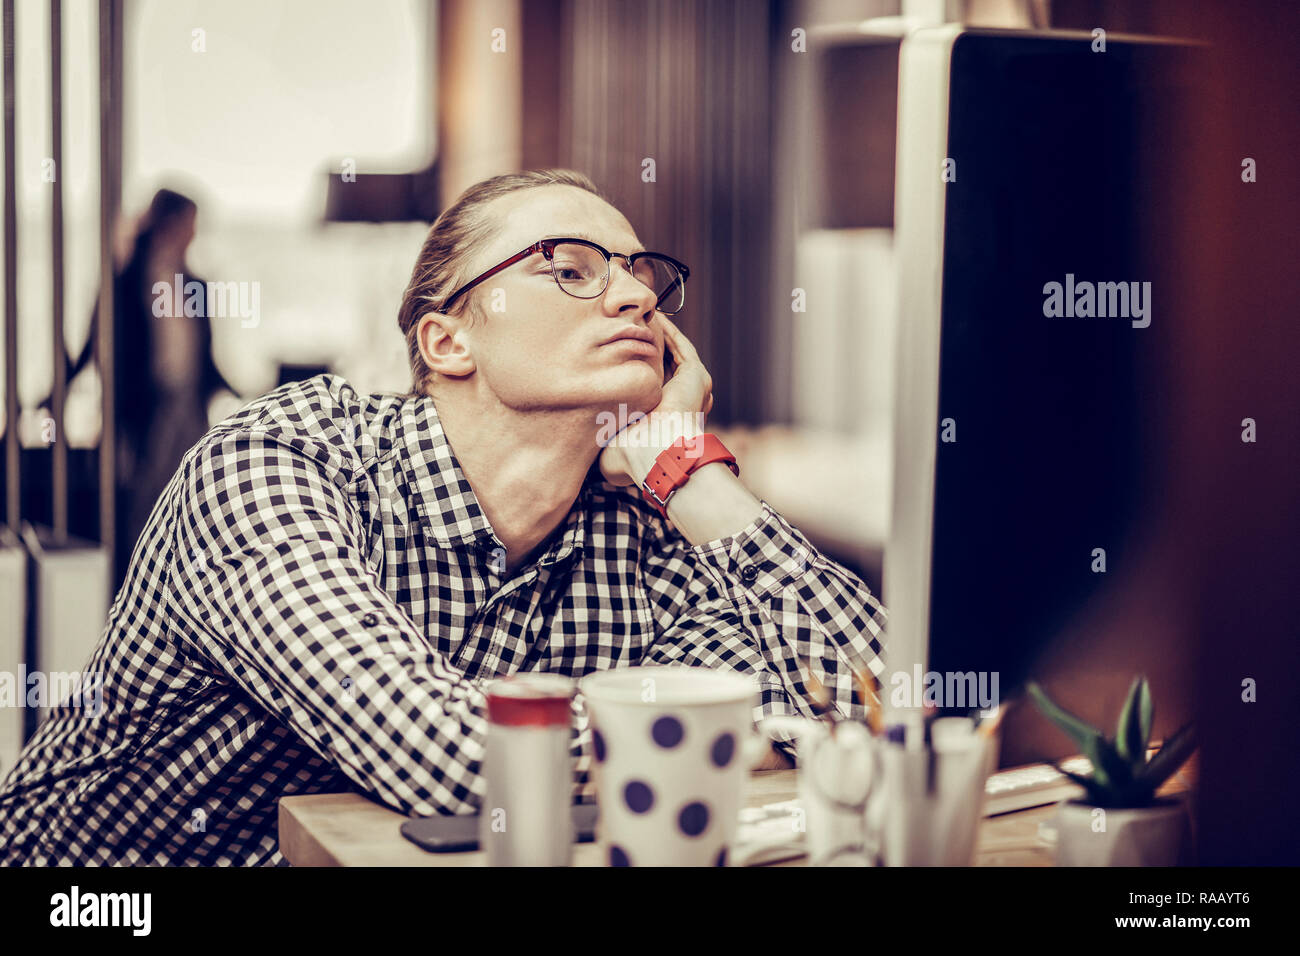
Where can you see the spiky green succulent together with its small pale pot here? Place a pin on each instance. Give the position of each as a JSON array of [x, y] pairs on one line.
[[1121, 821]]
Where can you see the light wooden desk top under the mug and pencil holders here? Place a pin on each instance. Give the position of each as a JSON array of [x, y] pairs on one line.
[[350, 830]]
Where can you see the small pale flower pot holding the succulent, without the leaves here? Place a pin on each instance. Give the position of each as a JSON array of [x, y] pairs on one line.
[[1158, 836]]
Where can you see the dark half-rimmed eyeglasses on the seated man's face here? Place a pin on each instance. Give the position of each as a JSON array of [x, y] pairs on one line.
[[582, 270]]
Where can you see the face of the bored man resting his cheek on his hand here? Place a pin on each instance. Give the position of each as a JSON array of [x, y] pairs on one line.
[[549, 349]]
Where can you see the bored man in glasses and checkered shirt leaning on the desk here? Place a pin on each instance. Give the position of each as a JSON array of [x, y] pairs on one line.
[[330, 581]]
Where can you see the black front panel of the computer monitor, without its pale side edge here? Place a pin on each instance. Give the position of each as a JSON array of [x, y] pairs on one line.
[[1055, 396]]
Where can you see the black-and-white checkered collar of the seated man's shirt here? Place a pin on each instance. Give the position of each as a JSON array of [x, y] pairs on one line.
[[437, 490]]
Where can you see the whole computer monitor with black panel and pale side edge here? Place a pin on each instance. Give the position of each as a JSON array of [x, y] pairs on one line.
[[1030, 412]]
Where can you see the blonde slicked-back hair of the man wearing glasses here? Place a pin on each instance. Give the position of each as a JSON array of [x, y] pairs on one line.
[[457, 233]]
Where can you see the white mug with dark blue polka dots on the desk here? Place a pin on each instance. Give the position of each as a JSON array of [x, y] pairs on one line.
[[674, 747]]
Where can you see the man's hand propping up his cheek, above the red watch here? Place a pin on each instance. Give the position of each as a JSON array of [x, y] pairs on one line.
[[686, 401]]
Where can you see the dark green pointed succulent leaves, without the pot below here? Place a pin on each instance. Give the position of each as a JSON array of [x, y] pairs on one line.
[[1123, 776]]
